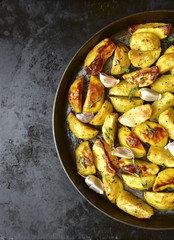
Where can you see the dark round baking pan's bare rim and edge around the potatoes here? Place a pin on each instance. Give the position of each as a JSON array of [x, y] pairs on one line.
[[64, 142]]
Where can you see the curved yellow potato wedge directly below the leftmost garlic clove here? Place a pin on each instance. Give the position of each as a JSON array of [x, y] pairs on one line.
[[79, 129]]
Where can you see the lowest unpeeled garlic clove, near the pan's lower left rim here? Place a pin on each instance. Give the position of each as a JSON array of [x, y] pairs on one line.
[[95, 184]]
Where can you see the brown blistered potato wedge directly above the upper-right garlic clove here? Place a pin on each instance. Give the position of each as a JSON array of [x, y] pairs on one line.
[[143, 77]]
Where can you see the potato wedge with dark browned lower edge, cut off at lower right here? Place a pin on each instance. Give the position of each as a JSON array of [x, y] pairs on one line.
[[165, 179]]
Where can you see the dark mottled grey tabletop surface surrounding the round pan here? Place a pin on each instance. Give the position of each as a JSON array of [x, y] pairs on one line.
[[37, 40]]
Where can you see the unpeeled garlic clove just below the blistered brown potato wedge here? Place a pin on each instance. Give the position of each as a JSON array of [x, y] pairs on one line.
[[149, 95]]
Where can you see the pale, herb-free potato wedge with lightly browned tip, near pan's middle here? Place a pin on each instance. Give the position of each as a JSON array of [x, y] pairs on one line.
[[136, 115]]
